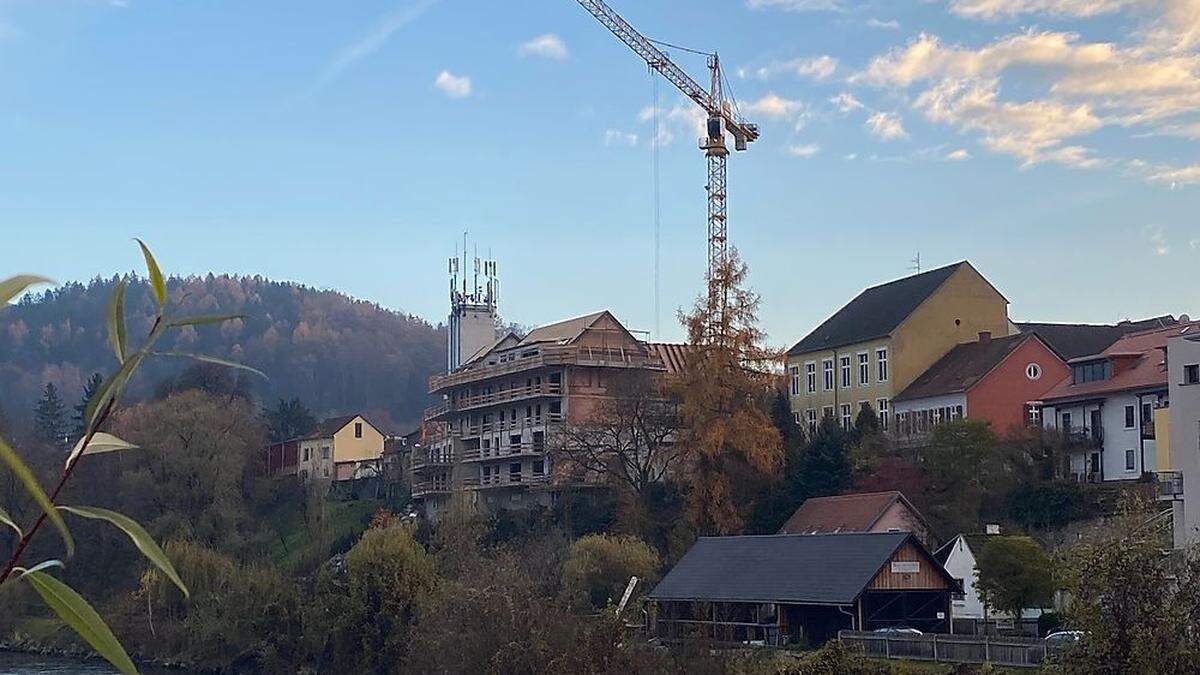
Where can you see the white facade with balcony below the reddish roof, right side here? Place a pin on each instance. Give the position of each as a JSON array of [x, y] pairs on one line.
[[1113, 433]]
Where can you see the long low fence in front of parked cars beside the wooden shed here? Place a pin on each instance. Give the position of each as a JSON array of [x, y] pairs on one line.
[[947, 649]]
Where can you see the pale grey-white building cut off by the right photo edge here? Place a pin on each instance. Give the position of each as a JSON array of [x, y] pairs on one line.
[[1185, 415]]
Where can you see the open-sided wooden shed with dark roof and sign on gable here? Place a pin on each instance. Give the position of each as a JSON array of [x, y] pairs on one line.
[[801, 589]]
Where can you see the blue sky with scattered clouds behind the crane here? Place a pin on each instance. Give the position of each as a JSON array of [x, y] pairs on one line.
[[1054, 144]]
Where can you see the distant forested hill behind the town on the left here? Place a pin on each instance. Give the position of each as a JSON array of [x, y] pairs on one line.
[[339, 355]]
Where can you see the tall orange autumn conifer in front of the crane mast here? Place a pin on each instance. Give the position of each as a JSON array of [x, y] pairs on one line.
[[733, 445]]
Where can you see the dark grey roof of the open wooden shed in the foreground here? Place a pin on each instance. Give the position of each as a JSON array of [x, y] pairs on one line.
[[796, 569]]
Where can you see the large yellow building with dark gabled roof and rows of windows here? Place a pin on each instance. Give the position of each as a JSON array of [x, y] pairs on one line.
[[886, 338]]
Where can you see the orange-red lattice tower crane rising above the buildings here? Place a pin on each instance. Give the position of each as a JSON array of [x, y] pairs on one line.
[[722, 118]]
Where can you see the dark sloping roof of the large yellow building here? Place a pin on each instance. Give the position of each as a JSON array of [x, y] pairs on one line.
[[875, 313]]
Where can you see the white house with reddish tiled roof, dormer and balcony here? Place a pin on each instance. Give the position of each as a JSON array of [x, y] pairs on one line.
[[1106, 409]]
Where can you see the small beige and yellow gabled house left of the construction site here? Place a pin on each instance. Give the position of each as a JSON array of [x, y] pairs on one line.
[[341, 449]]
